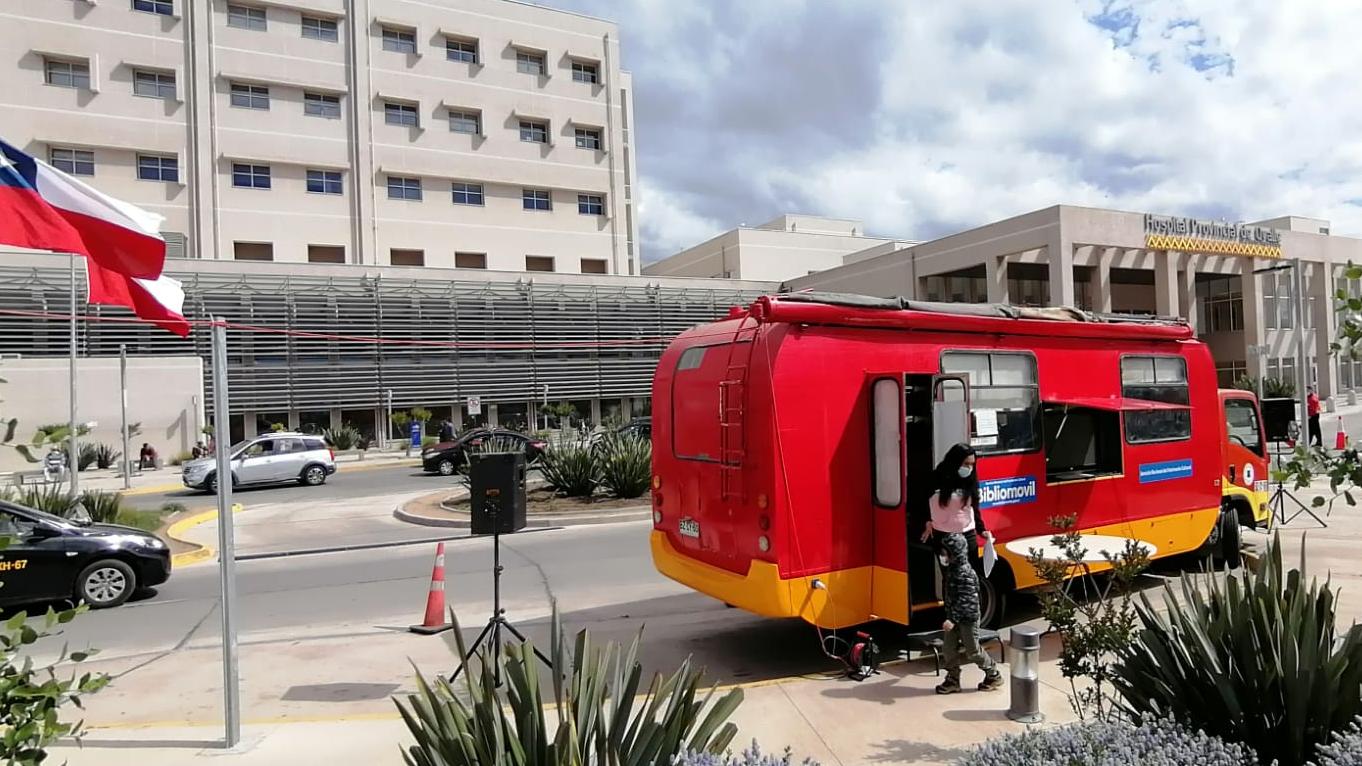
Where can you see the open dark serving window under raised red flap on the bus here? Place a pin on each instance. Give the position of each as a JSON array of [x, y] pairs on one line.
[[1081, 442]]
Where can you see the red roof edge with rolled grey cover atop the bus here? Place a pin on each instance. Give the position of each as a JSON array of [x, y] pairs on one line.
[[844, 310]]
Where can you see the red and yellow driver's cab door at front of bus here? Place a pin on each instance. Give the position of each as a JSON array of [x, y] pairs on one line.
[[1246, 460]]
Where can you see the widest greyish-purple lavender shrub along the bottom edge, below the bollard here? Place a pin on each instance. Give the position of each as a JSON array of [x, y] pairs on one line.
[[1109, 744]]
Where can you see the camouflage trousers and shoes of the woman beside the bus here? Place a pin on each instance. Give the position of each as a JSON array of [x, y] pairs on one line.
[[961, 629]]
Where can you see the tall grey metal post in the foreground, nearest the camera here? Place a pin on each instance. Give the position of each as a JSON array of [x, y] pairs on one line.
[[227, 547]]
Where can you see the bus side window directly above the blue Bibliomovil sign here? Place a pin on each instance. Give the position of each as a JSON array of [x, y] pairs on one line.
[[1006, 386]]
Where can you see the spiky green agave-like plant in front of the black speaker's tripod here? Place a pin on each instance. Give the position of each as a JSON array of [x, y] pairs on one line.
[[597, 716]]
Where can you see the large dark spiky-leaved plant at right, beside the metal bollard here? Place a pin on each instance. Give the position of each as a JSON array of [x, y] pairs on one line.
[[1252, 658]]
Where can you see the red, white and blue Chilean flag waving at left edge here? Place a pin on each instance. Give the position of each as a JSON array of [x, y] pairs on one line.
[[46, 209]]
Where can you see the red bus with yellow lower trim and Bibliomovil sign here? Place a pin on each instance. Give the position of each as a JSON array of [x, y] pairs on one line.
[[795, 441]]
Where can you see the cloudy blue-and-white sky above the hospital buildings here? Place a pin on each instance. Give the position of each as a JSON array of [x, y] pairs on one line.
[[923, 117]]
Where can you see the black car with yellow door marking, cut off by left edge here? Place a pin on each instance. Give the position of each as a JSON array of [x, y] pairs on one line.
[[51, 560]]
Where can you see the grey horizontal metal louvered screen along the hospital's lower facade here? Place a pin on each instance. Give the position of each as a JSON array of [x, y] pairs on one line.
[[516, 337]]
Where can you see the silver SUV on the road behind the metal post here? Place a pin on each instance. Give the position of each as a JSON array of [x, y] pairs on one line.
[[269, 459]]
